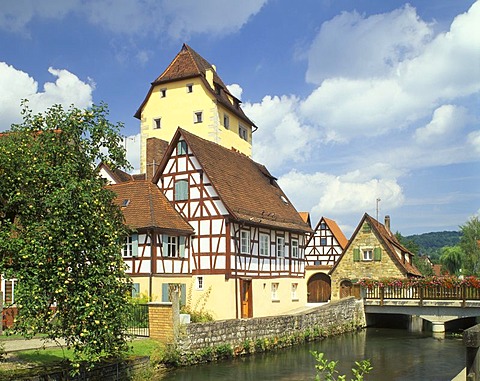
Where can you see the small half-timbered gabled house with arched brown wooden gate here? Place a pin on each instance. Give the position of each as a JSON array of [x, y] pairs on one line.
[[323, 249]]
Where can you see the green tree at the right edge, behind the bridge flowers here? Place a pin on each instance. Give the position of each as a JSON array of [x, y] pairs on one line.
[[469, 243]]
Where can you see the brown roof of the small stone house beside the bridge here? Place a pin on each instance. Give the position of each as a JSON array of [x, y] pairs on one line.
[[389, 242]]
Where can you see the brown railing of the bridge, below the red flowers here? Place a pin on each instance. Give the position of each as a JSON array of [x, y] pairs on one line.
[[421, 292]]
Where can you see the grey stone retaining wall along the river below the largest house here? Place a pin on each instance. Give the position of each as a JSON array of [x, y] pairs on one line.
[[336, 317]]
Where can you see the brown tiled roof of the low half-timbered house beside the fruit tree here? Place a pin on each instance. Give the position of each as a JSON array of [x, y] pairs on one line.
[[145, 206]]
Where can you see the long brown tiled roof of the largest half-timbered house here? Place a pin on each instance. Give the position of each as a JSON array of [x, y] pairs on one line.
[[248, 191]]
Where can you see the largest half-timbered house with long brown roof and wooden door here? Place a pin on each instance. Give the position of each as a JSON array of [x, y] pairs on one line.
[[247, 251]]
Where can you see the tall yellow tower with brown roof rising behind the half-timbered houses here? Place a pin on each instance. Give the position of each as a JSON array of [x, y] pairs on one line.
[[191, 95]]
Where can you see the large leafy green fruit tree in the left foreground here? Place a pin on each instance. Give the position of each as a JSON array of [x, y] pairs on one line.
[[60, 232]]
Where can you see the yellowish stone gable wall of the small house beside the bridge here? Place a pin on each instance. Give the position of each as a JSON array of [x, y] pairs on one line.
[[348, 269]]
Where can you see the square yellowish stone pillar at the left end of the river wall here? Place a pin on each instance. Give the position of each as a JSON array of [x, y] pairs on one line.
[[160, 322]]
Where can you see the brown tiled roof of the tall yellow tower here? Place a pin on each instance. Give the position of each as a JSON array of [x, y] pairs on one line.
[[189, 64]]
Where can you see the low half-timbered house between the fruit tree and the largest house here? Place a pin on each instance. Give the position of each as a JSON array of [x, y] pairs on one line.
[[158, 245]]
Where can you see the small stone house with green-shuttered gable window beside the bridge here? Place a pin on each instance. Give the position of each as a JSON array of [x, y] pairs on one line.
[[372, 252]]
